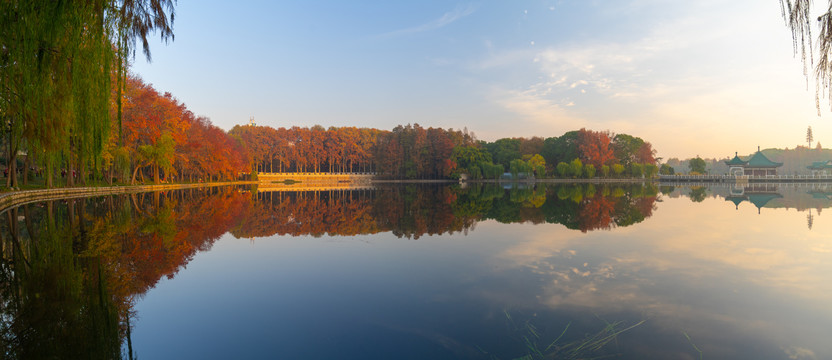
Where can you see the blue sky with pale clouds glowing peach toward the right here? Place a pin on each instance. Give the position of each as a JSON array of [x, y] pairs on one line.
[[702, 77]]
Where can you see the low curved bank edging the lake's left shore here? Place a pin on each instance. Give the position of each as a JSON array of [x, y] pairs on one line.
[[16, 198]]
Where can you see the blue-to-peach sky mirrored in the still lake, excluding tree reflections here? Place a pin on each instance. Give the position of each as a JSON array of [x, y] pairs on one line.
[[738, 283]]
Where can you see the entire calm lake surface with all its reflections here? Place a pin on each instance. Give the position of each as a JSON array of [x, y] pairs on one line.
[[568, 271]]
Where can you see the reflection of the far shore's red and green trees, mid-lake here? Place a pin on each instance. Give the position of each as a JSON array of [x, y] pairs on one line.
[[412, 211]]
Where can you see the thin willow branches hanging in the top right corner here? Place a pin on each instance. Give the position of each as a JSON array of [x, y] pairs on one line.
[[799, 19]]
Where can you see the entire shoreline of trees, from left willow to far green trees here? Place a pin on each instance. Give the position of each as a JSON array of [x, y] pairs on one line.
[[75, 115]]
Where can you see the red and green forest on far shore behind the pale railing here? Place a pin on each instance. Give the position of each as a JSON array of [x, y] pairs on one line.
[[415, 152]]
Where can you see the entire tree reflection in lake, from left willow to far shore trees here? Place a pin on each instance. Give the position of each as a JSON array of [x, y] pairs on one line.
[[72, 270]]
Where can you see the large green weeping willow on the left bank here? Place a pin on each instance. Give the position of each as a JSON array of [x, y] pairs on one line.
[[58, 60]]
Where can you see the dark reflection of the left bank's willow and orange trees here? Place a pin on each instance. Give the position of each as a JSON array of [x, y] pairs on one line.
[[72, 270]]
